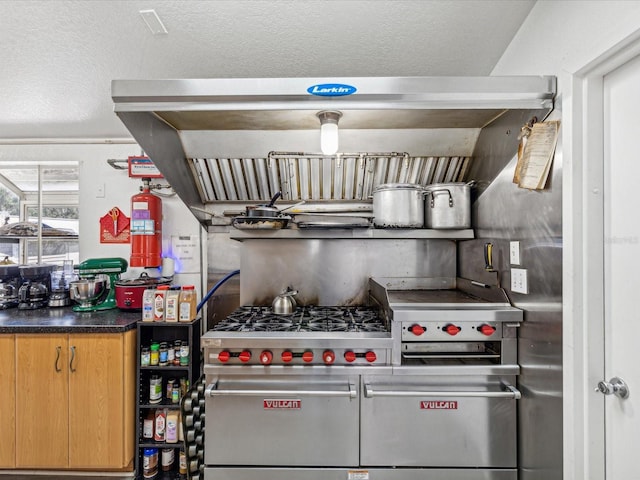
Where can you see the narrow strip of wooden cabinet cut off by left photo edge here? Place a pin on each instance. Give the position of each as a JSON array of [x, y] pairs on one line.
[[8, 409]]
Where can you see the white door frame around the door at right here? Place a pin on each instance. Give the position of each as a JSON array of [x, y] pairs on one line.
[[583, 260]]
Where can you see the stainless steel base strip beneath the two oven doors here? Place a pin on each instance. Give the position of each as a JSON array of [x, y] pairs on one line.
[[362, 473]]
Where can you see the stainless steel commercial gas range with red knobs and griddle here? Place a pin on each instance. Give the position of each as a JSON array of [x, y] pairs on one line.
[[419, 384]]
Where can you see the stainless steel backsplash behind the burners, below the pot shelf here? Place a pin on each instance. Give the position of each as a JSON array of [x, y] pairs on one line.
[[336, 272]]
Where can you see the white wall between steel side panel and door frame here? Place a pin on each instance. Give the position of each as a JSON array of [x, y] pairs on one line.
[[562, 38]]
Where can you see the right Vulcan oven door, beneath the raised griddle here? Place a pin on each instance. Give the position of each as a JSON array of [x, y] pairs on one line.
[[439, 421]]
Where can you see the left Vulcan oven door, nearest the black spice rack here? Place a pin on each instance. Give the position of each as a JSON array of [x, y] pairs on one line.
[[290, 420]]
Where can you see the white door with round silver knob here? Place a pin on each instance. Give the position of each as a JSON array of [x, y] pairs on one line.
[[622, 268]]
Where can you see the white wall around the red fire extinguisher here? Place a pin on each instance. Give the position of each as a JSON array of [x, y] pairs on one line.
[[118, 189]]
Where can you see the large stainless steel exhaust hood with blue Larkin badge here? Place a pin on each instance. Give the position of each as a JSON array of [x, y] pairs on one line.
[[216, 141]]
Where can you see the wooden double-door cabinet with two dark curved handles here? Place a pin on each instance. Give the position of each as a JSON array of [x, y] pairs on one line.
[[75, 401]]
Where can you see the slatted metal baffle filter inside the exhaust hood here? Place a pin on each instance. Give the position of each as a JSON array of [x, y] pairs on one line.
[[316, 177]]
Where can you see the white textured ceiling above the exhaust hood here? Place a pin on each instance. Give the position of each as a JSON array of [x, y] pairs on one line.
[[59, 57]]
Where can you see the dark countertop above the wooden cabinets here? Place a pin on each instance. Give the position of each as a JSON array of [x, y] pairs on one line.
[[65, 320]]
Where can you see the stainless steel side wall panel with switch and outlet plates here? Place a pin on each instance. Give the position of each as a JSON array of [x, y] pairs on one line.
[[503, 213]]
